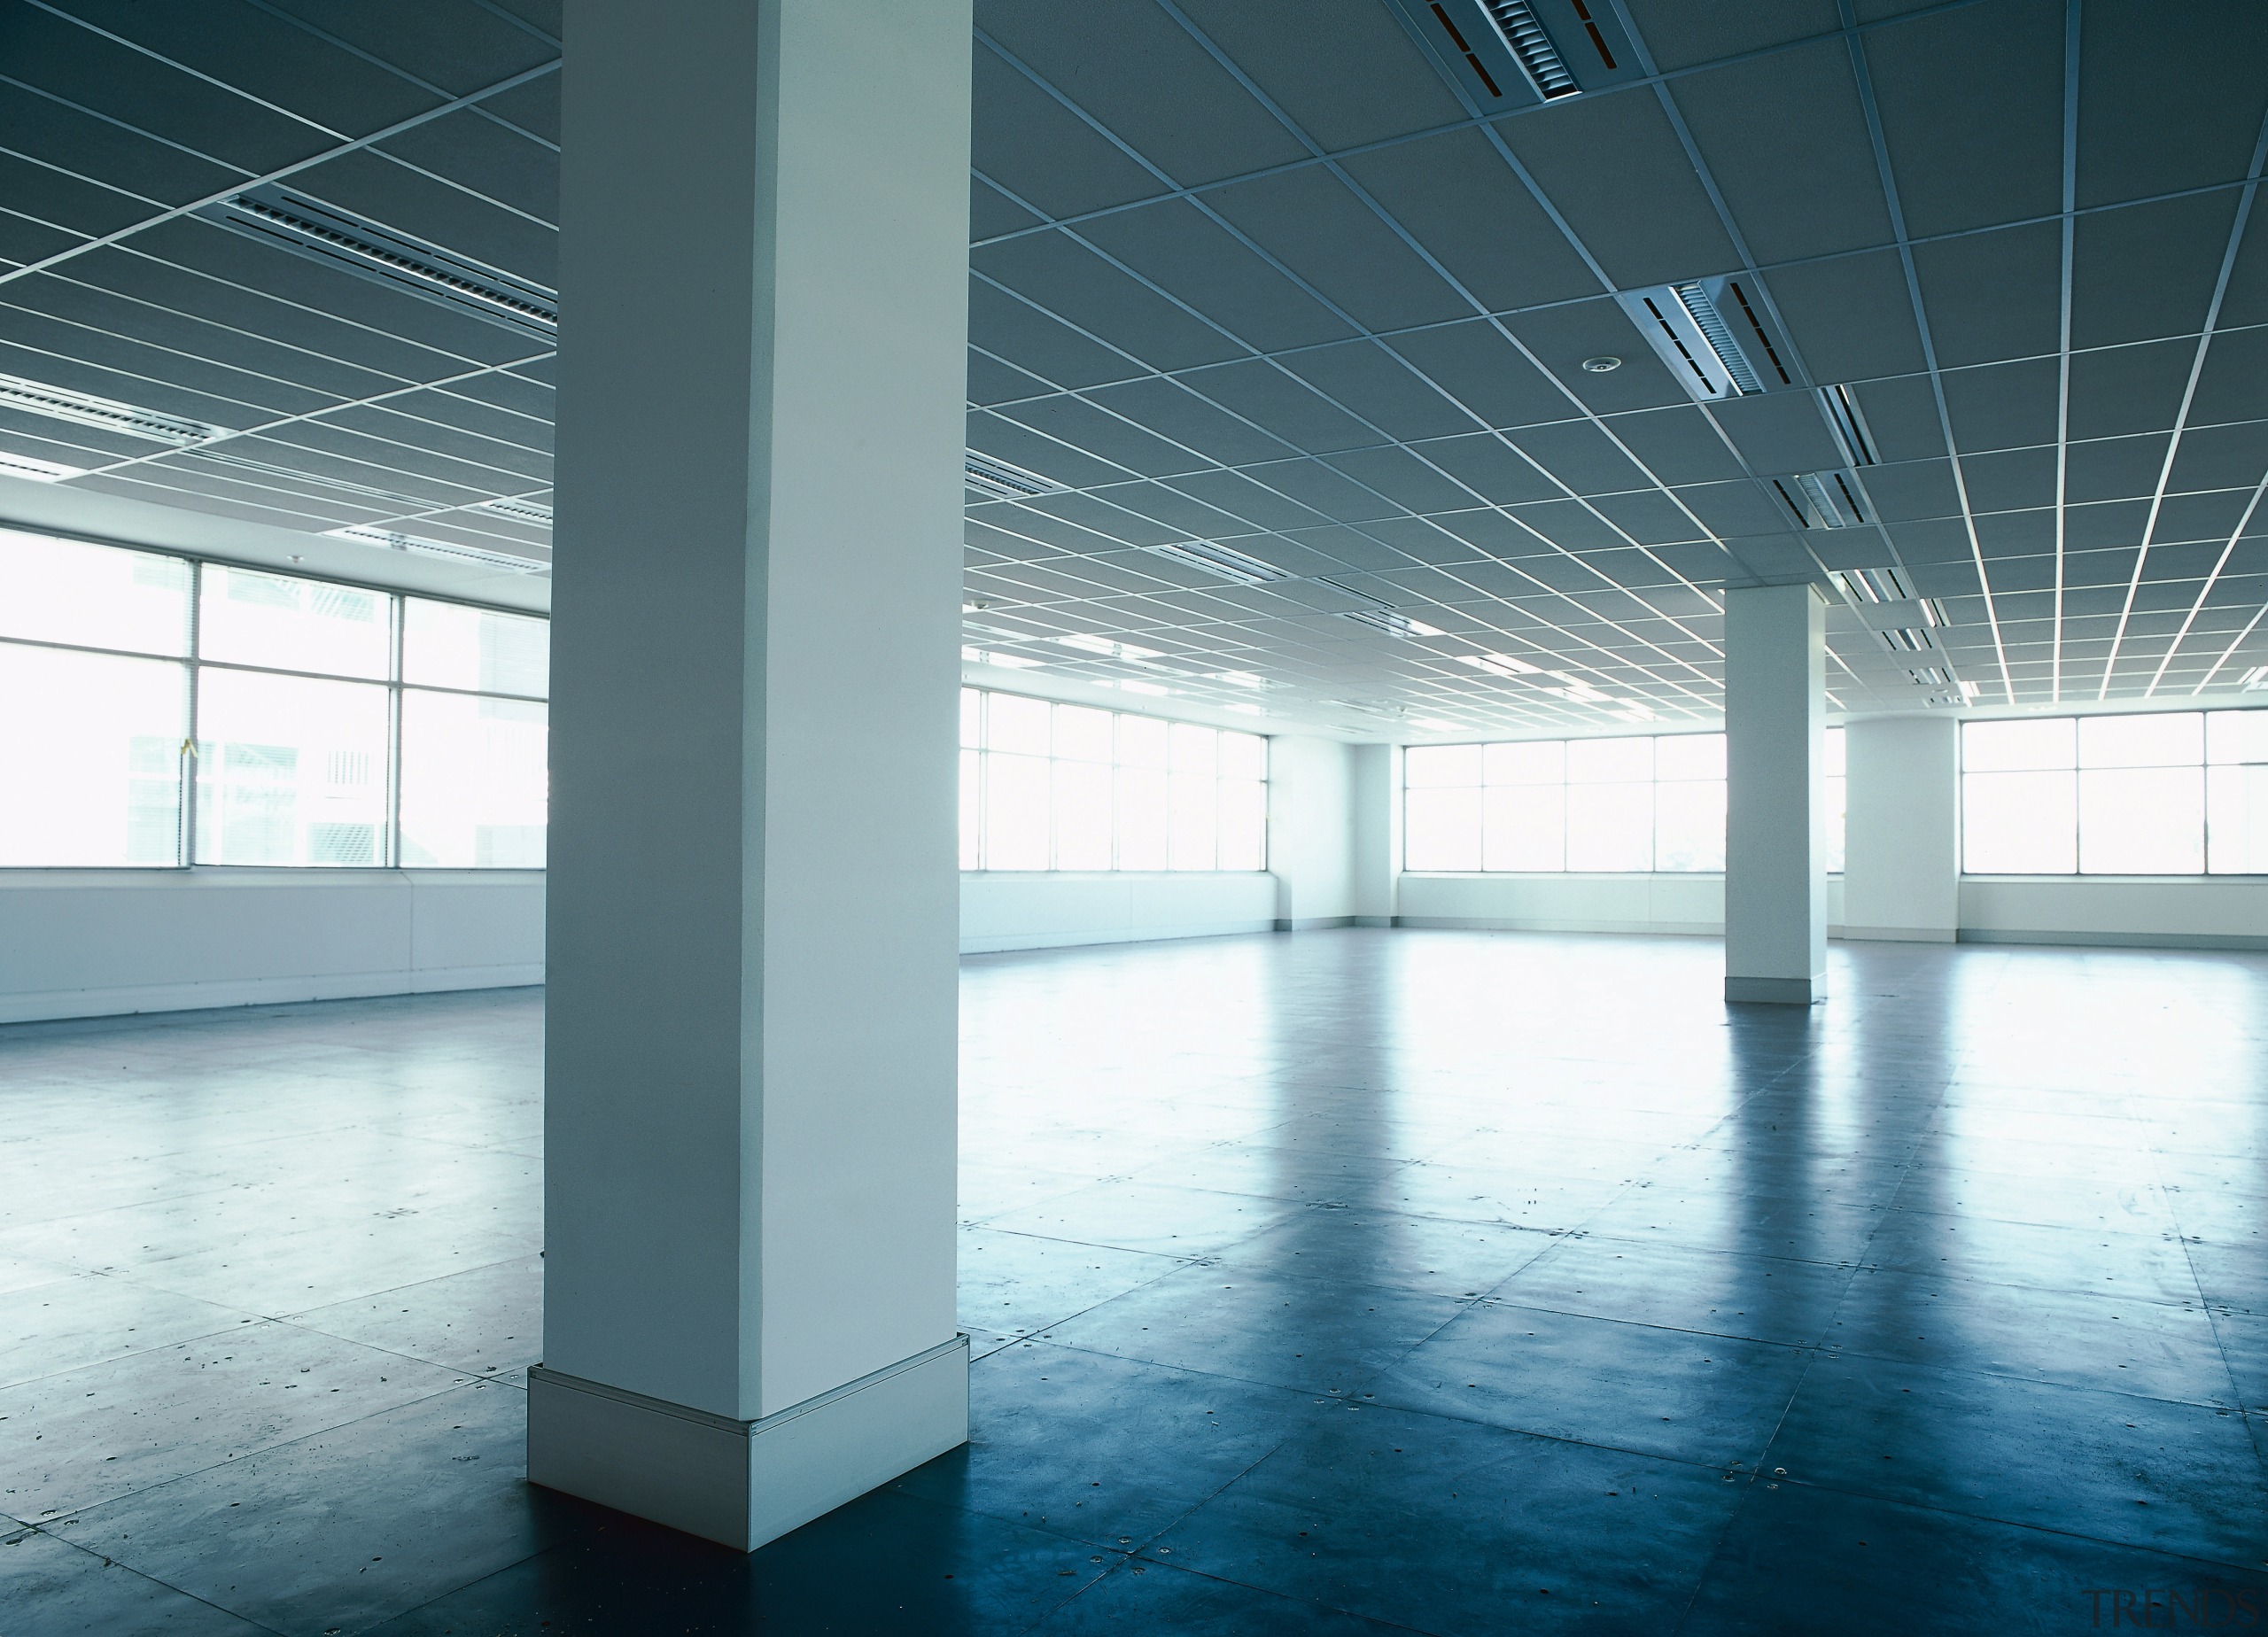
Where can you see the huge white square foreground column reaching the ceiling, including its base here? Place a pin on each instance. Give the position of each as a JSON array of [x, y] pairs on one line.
[[750, 1092]]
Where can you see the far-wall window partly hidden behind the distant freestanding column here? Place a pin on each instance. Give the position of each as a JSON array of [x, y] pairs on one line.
[[1580, 806]]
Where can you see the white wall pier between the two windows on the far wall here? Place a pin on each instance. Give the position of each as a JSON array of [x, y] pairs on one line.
[[1902, 836]]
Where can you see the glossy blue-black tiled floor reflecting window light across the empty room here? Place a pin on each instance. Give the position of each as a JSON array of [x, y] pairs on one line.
[[1344, 1282]]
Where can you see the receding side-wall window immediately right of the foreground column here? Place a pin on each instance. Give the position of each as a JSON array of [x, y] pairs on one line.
[[1067, 788]]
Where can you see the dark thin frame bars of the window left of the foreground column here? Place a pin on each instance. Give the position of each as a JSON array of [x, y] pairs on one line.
[[194, 668]]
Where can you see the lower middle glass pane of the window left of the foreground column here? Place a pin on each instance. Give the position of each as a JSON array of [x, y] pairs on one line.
[[289, 770]]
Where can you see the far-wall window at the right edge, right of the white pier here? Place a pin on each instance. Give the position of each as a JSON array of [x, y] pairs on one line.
[[2163, 795]]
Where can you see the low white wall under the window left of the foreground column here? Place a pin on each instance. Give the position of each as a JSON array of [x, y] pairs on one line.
[[85, 944]]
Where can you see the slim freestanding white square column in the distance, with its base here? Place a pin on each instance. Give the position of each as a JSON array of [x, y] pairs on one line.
[[1775, 833]]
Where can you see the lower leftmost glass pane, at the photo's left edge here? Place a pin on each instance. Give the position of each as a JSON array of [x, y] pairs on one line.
[[92, 747]]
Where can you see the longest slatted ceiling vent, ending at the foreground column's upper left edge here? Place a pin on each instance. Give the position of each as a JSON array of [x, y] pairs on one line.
[[335, 237]]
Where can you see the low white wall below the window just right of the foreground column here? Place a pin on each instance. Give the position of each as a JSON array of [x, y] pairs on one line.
[[1038, 913]]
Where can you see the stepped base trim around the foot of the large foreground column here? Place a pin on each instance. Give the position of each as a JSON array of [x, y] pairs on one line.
[[745, 1484]]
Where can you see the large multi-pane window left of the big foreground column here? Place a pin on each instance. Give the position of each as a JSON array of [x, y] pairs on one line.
[[164, 711]]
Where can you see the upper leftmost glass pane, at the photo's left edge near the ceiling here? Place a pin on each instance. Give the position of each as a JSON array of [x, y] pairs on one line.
[[101, 597]]
